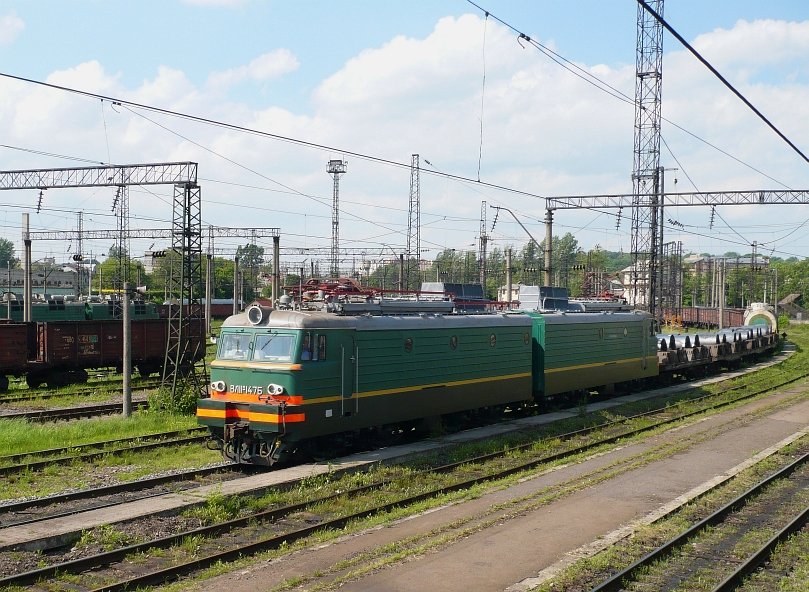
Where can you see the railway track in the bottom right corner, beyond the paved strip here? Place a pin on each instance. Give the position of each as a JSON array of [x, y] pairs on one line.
[[673, 566]]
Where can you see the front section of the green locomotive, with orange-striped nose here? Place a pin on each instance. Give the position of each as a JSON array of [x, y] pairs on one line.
[[286, 376]]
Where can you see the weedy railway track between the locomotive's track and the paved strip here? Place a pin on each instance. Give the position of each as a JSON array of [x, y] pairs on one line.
[[242, 536]]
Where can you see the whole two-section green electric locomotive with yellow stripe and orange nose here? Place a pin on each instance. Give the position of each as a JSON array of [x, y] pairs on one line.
[[283, 378]]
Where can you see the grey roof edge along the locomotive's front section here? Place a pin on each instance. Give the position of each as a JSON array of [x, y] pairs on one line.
[[301, 319]]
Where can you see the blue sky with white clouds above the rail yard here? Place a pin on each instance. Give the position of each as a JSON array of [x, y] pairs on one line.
[[375, 82]]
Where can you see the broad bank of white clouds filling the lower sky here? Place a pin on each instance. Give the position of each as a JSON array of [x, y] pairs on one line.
[[544, 131]]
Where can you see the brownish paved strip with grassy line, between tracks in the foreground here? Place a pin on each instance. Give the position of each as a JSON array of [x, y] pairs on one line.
[[519, 537]]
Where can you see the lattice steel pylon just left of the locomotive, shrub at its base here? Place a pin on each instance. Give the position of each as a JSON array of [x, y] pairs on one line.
[[186, 340]]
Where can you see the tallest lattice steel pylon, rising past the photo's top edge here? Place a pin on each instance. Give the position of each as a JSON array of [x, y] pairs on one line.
[[646, 237]]
